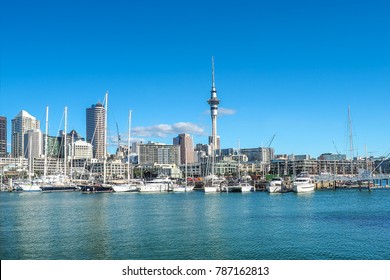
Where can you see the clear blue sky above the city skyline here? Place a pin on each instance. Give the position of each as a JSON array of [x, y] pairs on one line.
[[289, 68]]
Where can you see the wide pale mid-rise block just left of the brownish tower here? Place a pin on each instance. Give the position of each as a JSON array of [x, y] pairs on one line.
[[158, 153]]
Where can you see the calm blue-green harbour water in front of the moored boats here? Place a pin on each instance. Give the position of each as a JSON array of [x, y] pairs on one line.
[[325, 225]]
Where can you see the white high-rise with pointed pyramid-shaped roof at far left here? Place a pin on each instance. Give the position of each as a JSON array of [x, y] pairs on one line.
[[22, 123]]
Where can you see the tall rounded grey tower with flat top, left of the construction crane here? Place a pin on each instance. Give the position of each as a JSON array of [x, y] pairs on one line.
[[96, 129]]
